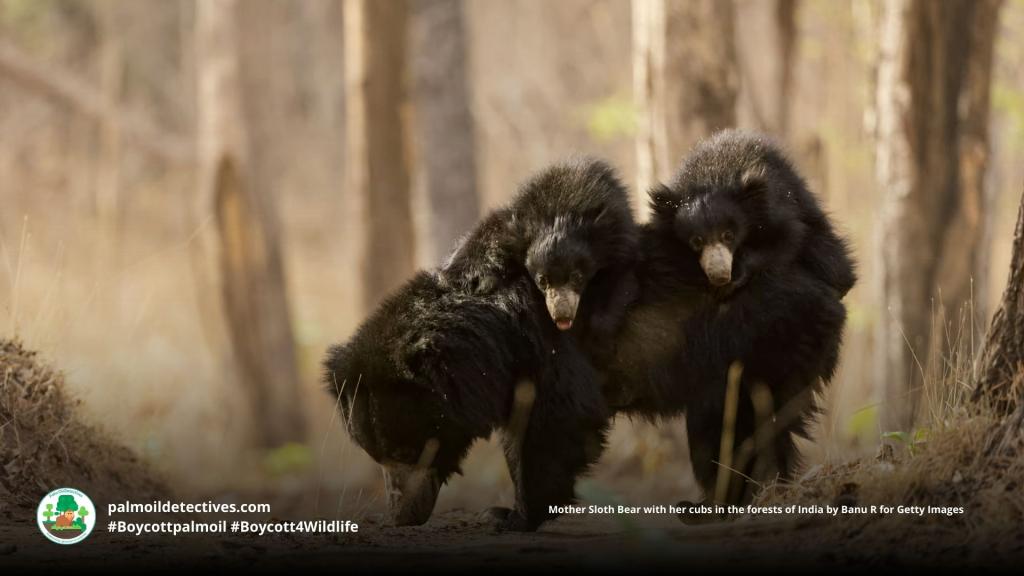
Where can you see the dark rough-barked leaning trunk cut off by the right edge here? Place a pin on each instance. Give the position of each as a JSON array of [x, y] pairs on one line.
[[1002, 361]]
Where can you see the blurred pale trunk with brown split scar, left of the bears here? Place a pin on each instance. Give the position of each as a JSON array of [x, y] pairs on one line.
[[242, 258]]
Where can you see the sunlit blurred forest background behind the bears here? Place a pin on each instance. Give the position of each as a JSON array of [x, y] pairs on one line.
[[112, 216]]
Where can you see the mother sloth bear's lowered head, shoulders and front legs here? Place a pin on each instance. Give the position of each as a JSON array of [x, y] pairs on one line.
[[434, 369]]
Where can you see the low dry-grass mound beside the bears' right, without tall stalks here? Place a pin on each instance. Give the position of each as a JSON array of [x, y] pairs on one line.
[[971, 459]]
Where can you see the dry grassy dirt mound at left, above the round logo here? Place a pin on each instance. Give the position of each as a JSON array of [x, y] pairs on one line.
[[46, 445]]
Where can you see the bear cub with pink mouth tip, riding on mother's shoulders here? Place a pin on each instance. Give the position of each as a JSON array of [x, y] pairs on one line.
[[570, 230]]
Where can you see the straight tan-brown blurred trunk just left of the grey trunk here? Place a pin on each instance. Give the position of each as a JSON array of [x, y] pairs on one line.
[[377, 147]]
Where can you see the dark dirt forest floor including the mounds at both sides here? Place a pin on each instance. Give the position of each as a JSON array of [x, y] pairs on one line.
[[975, 465]]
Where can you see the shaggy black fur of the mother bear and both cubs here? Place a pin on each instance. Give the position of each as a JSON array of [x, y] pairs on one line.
[[443, 361]]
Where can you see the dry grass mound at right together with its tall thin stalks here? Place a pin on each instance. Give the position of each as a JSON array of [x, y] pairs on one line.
[[959, 455]]
